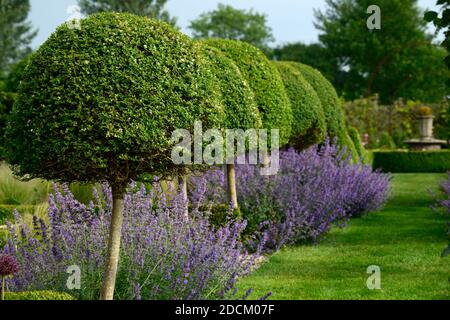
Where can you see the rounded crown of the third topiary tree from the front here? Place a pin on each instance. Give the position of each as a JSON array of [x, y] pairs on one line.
[[265, 81]]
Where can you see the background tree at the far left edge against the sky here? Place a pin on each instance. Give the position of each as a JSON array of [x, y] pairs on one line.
[[16, 33]]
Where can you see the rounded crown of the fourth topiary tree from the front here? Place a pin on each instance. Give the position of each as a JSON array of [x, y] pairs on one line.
[[309, 126]]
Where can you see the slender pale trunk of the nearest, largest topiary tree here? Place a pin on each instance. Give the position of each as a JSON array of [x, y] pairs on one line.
[[115, 233]]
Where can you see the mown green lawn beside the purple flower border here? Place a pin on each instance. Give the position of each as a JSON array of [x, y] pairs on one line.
[[405, 239]]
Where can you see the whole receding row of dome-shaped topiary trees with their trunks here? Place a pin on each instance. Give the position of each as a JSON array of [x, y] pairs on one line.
[[100, 103]]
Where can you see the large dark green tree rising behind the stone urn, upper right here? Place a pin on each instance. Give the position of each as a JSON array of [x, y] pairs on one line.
[[399, 60]]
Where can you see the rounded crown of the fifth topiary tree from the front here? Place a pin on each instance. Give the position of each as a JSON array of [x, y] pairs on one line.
[[331, 104]]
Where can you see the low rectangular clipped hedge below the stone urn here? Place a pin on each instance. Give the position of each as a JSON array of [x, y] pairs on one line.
[[412, 161]]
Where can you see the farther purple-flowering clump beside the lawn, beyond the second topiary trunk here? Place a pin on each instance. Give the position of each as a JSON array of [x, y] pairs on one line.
[[313, 189]]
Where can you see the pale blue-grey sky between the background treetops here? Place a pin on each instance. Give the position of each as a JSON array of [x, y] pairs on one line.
[[291, 20]]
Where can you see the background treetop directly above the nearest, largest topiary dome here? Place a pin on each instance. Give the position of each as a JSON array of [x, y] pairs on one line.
[[149, 8]]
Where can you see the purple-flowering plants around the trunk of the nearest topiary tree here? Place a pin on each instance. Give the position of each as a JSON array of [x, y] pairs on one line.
[[164, 255]]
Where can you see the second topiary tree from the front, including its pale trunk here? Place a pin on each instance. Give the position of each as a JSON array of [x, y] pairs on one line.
[[241, 110]]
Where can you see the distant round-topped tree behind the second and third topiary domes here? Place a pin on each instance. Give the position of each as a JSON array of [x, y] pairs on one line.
[[229, 23]]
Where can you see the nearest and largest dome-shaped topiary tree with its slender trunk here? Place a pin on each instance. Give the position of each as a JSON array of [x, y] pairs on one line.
[[100, 103]]
